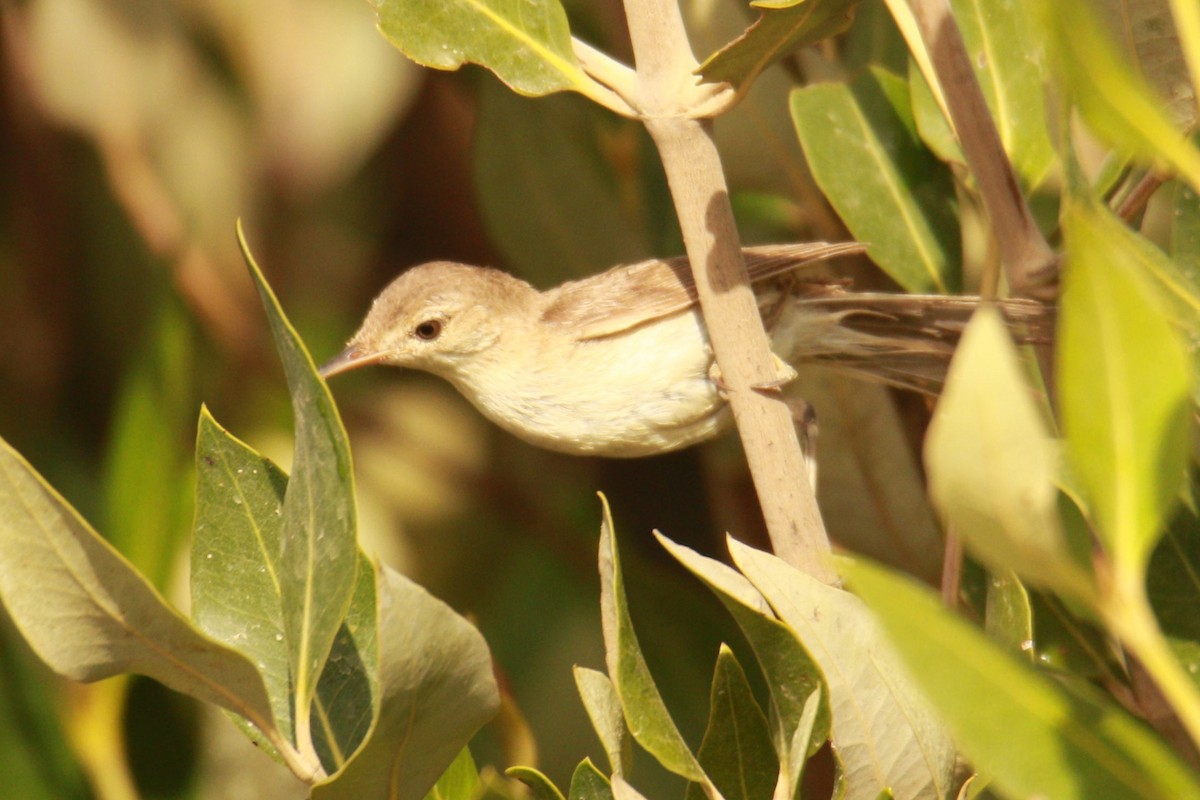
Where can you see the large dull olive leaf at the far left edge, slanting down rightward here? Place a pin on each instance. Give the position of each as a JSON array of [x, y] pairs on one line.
[[91, 616]]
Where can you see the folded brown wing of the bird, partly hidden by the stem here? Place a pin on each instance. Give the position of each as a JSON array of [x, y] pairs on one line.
[[628, 297]]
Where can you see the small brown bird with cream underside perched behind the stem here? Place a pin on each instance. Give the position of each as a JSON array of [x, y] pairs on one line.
[[619, 364]]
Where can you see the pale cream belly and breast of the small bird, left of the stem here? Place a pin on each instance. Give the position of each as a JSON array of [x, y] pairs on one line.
[[640, 393]]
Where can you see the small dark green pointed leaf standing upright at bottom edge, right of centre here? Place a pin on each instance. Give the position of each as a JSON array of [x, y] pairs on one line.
[[737, 751]]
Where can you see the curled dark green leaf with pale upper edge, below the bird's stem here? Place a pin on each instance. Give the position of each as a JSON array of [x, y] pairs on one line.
[[793, 676]]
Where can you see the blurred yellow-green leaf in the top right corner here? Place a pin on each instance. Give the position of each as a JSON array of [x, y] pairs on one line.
[[1115, 103]]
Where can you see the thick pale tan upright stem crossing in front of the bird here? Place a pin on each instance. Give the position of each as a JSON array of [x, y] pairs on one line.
[[667, 85]]
